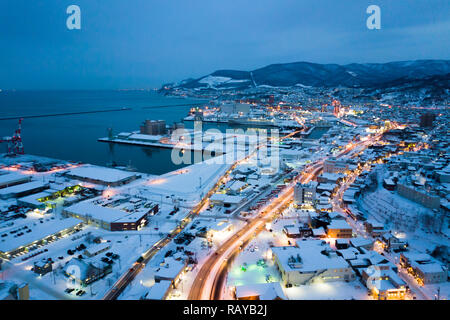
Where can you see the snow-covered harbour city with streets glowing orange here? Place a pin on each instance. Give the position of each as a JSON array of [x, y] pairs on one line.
[[354, 207]]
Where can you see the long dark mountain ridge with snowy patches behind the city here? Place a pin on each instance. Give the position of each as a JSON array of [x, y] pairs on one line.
[[308, 74]]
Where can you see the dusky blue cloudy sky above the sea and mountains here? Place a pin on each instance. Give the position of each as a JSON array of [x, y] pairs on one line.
[[144, 43]]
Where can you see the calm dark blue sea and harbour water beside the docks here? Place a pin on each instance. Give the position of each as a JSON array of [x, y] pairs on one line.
[[74, 137]]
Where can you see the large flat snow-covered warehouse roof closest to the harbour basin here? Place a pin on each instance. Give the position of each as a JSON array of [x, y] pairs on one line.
[[101, 175]]
